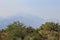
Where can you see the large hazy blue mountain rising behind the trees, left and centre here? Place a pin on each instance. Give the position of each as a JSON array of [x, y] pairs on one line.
[[28, 20]]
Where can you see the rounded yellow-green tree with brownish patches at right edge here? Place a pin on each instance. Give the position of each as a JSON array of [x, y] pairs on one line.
[[50, 30]]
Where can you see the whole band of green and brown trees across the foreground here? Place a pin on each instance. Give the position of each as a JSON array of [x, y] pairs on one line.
[[18, 31]]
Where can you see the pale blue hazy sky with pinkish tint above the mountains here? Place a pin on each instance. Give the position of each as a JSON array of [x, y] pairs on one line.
[[46, 9]]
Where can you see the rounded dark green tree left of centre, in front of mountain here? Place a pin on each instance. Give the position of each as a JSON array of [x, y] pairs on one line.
[[15, 31]]
